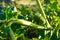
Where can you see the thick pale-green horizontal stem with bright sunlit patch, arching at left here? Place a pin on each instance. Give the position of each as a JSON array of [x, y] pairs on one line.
[[26, 23]]
